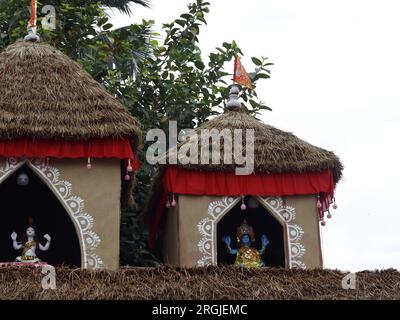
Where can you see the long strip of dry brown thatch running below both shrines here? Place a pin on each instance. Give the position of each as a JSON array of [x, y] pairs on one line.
[[199, 283]]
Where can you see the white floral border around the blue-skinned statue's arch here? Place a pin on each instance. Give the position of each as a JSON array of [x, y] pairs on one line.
[[217, 209]]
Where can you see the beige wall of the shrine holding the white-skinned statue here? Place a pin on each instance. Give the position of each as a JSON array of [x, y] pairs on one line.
[[100, 188]]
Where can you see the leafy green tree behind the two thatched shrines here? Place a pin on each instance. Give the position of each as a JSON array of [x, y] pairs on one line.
[[157, 80]]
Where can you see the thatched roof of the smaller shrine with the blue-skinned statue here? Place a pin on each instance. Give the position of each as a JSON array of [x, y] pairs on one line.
[[275, 151]]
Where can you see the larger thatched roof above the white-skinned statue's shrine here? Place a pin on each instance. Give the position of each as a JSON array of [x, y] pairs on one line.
[[45, 94]]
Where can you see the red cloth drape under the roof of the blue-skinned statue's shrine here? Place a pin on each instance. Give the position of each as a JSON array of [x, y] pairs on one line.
[[182, 181]]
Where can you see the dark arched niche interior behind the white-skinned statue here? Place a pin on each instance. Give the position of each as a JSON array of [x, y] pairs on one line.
[[36, 200]]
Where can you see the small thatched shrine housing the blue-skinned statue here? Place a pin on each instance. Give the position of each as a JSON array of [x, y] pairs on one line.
[[197, 207]]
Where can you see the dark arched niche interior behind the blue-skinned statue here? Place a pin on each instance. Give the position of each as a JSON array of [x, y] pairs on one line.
[[263, 223]]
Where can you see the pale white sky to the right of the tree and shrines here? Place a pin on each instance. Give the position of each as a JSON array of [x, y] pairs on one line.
[[335, 84]]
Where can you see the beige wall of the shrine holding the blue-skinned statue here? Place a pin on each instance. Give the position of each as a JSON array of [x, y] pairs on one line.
[[182, 235]]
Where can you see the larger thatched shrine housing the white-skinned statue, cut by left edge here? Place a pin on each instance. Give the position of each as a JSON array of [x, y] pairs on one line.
[[65, 144]]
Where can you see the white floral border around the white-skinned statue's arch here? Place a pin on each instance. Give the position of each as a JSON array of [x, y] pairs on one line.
[[75, 205]]
